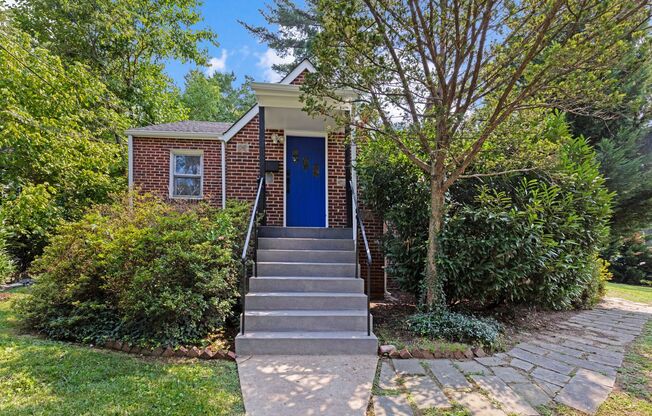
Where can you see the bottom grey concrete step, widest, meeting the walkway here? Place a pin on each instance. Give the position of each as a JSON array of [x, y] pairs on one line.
[[306, 343]]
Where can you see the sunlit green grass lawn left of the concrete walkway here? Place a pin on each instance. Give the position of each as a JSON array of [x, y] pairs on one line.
[[42, 377]]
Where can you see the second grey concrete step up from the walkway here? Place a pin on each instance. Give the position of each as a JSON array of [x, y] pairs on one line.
[[306, 320]]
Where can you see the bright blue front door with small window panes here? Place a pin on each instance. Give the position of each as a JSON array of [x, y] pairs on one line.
[[305, 182]]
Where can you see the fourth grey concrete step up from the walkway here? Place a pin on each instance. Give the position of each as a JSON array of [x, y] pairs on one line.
[[306, 284]]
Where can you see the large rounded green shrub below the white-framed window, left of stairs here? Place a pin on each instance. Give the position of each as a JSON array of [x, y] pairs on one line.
[[150, 274]]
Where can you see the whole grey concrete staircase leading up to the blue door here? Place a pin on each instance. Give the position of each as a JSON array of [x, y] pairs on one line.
[[305, 298]]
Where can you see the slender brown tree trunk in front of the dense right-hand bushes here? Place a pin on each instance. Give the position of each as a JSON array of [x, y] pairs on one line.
[[435, 299]]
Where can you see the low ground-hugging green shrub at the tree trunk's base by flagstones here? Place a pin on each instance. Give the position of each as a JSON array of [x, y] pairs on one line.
[[457, 327]]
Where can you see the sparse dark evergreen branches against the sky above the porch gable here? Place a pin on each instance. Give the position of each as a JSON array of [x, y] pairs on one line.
[[290, 30]]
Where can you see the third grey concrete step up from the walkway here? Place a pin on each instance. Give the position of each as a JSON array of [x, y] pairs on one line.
[[267, 301]]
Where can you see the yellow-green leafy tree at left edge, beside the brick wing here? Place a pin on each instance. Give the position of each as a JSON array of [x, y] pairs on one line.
[[58, 147]]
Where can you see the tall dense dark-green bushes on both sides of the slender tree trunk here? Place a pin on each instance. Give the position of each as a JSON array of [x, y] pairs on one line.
[[530, 238]]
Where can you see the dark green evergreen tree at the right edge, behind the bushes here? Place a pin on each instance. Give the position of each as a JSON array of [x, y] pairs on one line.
[[624, 142]]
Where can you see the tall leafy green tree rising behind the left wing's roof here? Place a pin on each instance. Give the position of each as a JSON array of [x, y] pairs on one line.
[[125, 43]]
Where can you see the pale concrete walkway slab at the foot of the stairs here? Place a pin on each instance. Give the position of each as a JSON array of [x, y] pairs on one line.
[[306, 385]]
